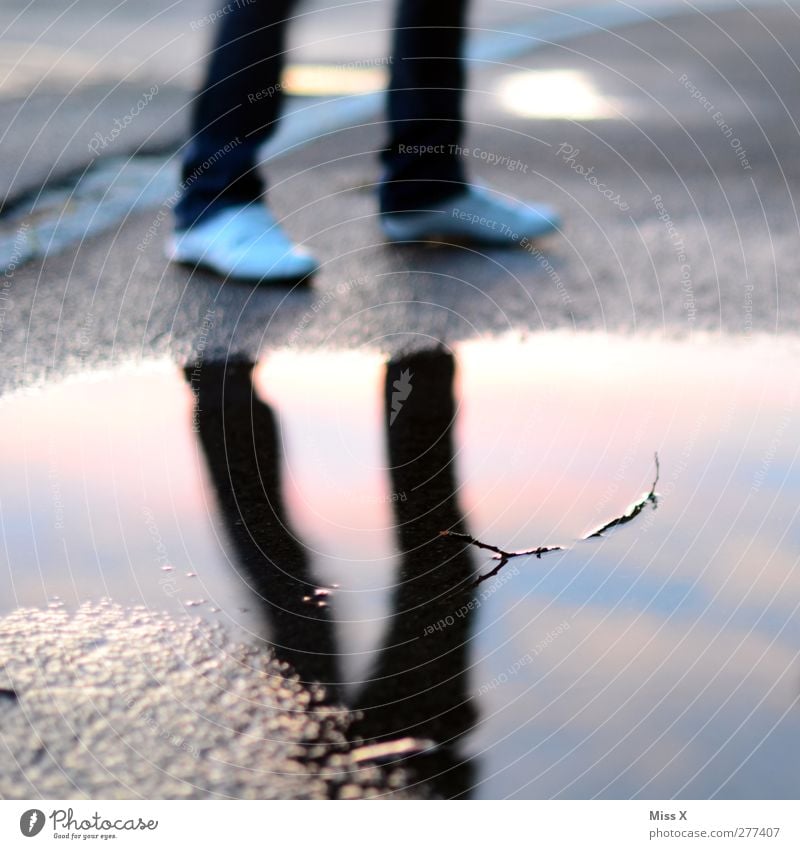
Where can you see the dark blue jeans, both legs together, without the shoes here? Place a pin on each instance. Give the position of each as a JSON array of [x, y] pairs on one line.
[[237, 107]]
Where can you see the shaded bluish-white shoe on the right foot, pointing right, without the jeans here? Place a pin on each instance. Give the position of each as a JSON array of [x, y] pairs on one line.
[[476, 216]]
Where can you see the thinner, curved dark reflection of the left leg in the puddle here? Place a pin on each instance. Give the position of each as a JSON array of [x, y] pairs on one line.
[[239, 436]]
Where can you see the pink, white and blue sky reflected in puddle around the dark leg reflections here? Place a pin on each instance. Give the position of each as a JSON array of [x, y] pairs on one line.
[[681, 657]]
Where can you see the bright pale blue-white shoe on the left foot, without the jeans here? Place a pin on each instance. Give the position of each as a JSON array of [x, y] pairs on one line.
[[242, 242]]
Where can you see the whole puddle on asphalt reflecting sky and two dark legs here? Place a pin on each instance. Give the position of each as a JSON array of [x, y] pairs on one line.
[[661, 660]]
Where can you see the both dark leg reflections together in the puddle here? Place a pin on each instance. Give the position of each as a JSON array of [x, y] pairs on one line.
[[418, 685]]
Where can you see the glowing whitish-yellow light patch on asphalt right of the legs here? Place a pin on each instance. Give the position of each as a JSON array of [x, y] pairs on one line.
[[554, 94]]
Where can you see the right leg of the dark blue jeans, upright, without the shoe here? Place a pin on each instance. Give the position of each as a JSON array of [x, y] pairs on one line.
[[425, 104]]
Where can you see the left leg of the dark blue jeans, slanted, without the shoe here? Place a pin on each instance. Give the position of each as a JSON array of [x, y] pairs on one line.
[[235, 109]]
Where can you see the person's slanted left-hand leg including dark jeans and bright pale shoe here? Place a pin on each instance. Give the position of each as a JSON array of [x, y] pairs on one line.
[[220, 222]]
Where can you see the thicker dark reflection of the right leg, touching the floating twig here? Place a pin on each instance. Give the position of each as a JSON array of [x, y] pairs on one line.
[[418, 686]]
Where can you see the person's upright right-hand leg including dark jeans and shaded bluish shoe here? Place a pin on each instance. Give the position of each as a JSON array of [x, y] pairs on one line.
[[424, 194]]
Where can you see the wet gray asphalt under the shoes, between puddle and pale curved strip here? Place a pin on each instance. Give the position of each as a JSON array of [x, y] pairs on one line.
[[609, 270]]
